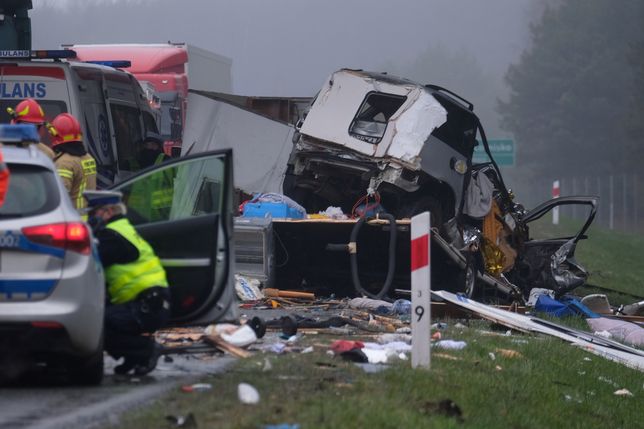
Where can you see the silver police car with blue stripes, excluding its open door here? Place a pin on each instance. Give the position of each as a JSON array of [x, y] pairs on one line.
[[51, 282]]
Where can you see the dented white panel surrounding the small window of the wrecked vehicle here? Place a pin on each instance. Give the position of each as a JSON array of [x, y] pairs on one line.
[[335, 111]]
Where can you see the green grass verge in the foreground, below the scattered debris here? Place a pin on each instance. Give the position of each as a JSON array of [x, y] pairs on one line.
[[552, 384]]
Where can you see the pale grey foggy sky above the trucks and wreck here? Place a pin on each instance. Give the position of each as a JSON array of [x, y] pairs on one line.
[[288, 47]]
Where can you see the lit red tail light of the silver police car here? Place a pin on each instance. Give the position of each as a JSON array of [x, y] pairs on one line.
[[71, 236]]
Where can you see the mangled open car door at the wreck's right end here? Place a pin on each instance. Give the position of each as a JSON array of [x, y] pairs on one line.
[[547, 259]]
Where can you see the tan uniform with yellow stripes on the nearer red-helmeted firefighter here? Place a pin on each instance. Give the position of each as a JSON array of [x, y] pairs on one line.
[[77, 169]]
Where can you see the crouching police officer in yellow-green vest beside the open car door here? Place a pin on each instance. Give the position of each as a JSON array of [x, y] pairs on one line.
[[137, 287]]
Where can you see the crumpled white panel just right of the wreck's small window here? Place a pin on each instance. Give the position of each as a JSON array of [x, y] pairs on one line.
[[414, 125]]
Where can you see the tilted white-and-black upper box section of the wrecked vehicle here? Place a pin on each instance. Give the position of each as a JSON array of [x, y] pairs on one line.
[[372, 132]]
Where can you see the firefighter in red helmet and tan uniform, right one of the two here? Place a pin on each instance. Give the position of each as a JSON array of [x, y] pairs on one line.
[[75, 166]]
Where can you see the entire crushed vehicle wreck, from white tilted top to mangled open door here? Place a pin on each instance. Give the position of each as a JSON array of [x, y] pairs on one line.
[[372, 136]]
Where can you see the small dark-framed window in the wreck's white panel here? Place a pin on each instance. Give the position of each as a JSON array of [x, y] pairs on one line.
[[370, 122]]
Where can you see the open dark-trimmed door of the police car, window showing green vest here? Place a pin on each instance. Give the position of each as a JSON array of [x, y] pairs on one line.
[[183, 208]]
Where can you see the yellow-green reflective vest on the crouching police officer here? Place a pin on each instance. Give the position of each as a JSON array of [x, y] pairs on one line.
[[126, 281]]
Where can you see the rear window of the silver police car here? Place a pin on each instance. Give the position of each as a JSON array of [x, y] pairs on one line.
[[32, 191]]
